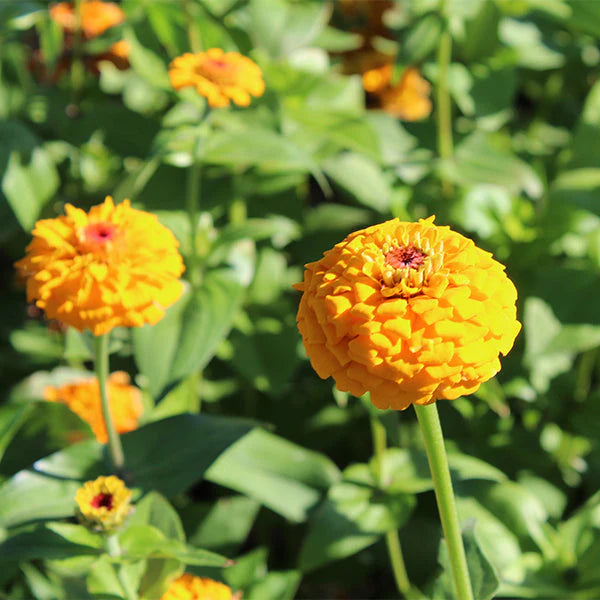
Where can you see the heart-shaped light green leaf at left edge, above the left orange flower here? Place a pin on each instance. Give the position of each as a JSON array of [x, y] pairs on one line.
[[28, 184]]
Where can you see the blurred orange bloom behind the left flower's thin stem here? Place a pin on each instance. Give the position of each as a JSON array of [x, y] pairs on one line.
[[83, 398]]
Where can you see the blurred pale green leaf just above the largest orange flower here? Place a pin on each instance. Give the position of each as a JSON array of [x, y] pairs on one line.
[[362, 178]]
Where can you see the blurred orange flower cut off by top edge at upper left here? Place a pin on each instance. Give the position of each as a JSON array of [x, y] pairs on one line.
[[96, 16]]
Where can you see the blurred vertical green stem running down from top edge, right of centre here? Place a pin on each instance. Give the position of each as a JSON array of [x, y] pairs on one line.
[[444, 106]]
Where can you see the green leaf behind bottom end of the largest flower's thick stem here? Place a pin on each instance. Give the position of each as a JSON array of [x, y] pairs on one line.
[[484, 580]]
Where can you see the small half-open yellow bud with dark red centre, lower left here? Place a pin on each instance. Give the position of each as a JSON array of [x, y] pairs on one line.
[[104, 503]]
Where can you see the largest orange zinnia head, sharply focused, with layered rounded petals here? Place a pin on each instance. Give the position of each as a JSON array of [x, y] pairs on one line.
[[410, 312]]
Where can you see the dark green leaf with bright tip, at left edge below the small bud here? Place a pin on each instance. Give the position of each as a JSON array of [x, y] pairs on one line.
[[51, 541]]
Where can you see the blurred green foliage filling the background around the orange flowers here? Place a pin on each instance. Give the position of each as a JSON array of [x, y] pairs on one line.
[[272, 467]]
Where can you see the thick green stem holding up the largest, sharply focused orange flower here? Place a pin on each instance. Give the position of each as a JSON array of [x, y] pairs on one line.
[[440, 473]]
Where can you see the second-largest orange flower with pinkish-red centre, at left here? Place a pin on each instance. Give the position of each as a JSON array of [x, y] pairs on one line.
[[114, 266]]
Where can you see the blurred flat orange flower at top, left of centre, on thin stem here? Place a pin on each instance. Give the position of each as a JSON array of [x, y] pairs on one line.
[[218, 76]]
